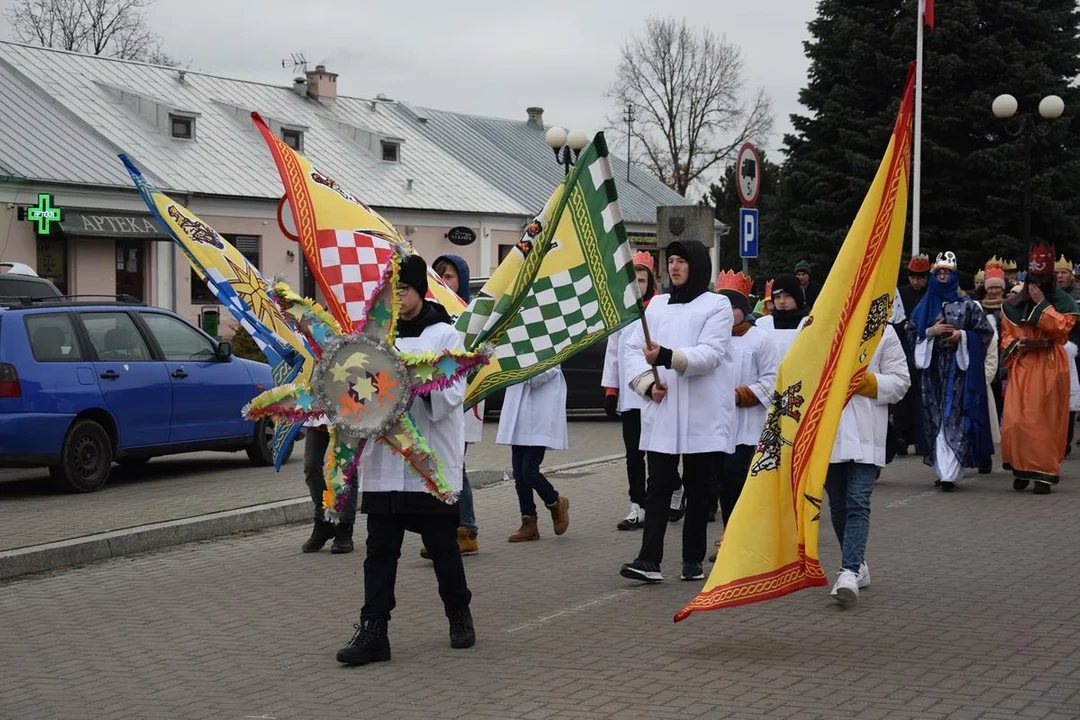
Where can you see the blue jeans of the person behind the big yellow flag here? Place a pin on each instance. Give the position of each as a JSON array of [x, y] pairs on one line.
[[849, 486]]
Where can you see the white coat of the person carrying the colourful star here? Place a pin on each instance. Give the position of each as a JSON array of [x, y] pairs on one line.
[[439, 418]]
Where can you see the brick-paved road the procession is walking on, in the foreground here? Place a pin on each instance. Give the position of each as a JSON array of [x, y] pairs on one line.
[[975, 613]]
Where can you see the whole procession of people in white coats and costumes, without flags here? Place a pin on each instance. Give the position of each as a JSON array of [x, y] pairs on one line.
[[956, 373]]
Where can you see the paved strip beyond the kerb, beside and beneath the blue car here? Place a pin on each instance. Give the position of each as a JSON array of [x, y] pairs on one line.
[[177, 487]]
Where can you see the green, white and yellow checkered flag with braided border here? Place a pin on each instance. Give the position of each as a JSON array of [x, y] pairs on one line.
[[568, 284]]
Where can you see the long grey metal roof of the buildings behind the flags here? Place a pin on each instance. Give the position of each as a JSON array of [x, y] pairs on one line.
[[67, 116]]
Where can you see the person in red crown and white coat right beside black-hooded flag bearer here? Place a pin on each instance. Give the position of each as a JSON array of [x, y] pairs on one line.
[[757, 362]]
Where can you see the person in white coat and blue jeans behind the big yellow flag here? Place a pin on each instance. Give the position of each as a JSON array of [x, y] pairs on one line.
[[859, 453]]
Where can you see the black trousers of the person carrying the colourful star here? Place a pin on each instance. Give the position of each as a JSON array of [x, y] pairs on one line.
[[385, 537]]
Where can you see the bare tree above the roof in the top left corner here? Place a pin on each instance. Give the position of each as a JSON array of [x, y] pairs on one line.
[[116, 29]]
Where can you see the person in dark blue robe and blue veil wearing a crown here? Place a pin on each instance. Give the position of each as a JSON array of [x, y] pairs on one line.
[[951, 335]]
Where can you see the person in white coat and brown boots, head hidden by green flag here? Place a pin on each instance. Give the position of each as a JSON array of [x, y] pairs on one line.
[[533, 422]]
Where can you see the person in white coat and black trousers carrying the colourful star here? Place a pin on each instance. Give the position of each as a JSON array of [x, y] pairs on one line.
[[394, 496]]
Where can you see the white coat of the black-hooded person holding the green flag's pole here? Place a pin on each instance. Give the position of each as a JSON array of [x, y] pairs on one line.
[[699, 413]]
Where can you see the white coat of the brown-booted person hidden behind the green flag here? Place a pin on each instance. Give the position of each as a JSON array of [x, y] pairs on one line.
[[534, 413]]
